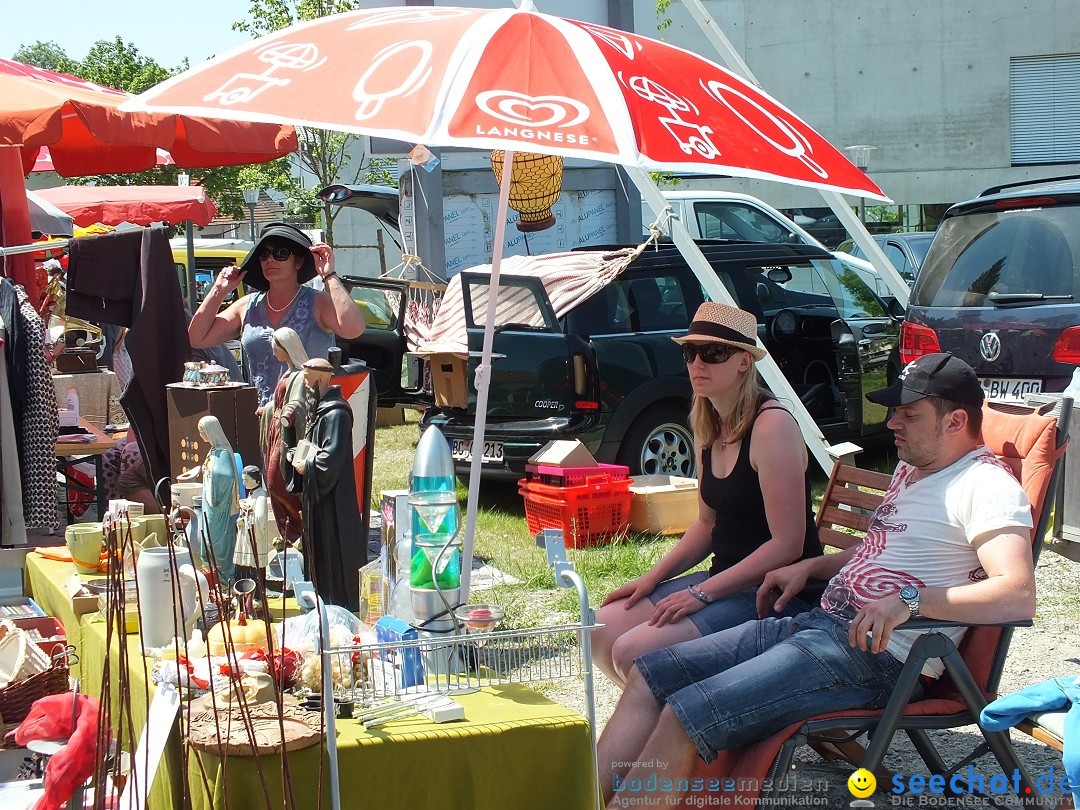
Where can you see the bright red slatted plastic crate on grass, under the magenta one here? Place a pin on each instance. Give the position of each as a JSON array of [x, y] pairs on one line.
[[588, 515]]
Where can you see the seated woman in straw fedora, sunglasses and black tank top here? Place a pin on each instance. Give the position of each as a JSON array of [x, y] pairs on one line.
[[754, 511]]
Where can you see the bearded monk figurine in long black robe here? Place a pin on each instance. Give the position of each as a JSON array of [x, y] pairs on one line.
[[332, 544]]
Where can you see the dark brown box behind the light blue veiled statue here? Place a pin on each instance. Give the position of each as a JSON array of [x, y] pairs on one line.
[[234, 407]]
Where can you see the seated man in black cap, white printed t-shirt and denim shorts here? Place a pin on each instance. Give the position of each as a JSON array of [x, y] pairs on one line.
[[952, 541]]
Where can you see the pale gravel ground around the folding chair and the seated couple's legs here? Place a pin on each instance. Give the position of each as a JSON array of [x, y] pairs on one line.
[[1048, 650]]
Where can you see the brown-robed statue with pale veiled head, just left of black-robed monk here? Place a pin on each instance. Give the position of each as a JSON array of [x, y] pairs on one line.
[[281, 424]]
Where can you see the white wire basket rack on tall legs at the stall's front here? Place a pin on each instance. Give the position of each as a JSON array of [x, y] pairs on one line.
[[454, 663]]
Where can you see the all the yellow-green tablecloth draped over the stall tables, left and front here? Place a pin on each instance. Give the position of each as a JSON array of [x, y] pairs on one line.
[[516, 749]]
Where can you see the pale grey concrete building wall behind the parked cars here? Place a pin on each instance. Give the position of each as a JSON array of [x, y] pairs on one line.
[[925, 82]]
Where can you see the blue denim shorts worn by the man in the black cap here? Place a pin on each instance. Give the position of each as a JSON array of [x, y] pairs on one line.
[[739, 686]]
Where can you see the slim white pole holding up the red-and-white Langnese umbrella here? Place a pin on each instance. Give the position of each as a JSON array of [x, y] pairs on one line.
[[484, 376]]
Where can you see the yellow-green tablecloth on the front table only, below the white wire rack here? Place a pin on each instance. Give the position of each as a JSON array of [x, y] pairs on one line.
[[516, 750]]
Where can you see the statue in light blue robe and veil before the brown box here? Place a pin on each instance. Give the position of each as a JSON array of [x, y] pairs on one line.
[[221, 498]]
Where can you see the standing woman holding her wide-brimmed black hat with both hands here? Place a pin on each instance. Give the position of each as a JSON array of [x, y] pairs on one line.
[[281, 263]]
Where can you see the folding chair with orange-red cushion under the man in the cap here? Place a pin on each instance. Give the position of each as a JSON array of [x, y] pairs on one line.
[[1033, 443]]
